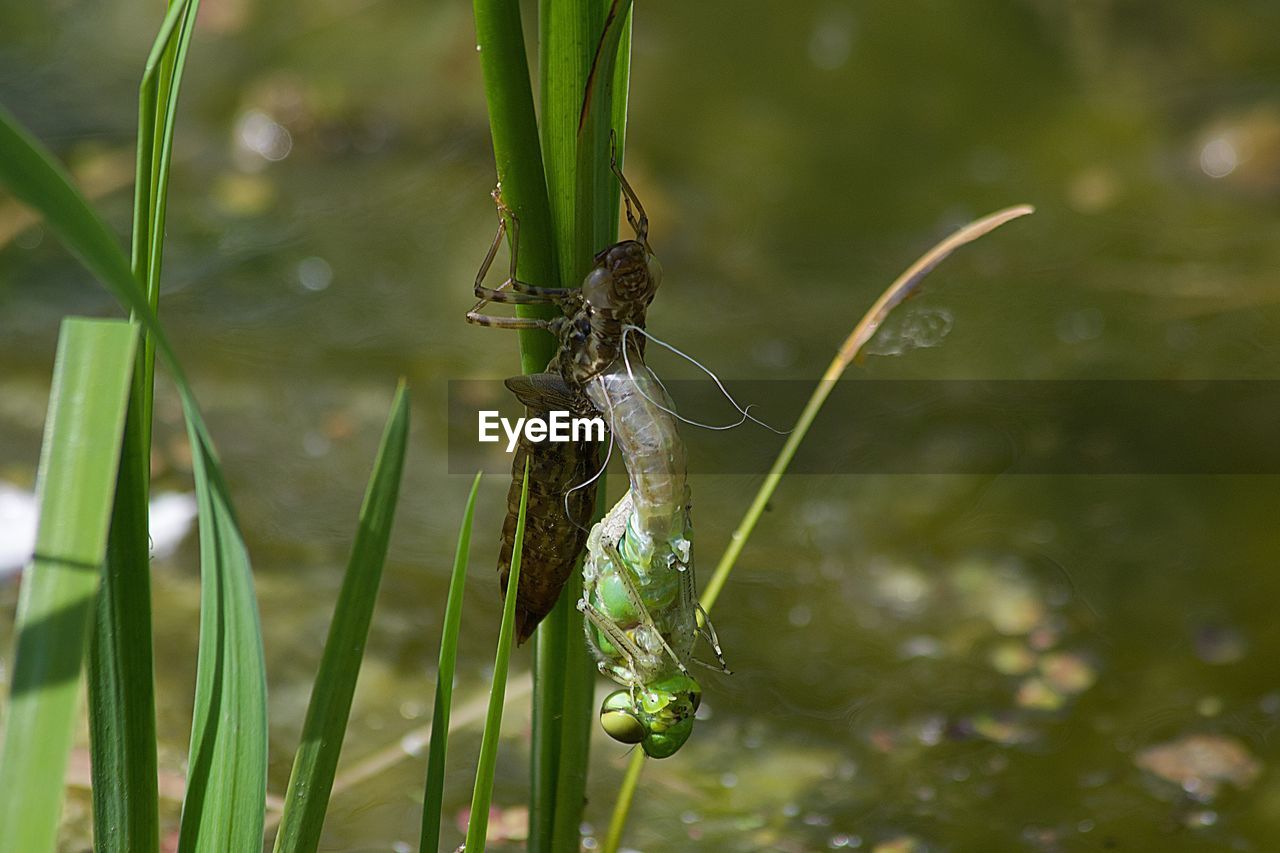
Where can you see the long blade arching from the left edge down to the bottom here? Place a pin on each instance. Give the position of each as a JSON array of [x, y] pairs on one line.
[[227, 782]]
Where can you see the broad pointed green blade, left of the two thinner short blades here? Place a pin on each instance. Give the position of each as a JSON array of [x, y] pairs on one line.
[[312, 781]]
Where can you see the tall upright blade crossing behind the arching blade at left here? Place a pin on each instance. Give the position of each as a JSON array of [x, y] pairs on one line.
[[122, 669]]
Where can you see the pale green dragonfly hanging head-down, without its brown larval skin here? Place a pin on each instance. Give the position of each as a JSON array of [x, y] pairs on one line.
[[638, 582]]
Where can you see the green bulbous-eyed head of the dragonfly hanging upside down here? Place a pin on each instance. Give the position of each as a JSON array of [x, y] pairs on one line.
[[660, 717]]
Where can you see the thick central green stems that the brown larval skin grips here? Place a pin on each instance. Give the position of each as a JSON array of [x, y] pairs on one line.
[[577, 215]]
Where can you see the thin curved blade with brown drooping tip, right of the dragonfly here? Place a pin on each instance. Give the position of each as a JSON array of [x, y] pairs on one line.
[[895, 295]]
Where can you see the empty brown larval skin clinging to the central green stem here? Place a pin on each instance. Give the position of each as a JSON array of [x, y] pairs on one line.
[[595, 323]]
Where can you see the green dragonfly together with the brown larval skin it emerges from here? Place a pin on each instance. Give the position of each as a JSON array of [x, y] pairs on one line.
[[639, 590]]
